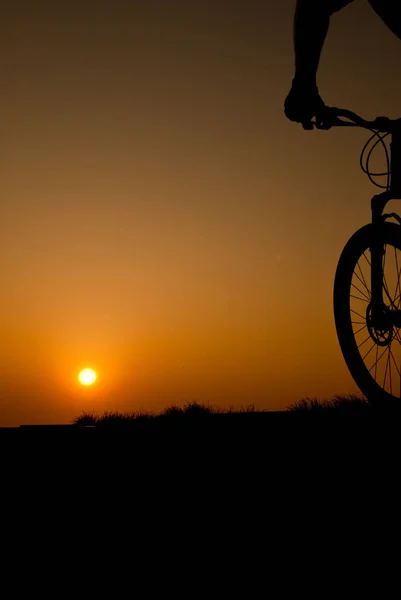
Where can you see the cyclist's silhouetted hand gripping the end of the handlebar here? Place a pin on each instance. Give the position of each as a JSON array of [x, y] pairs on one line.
[[303, 103]]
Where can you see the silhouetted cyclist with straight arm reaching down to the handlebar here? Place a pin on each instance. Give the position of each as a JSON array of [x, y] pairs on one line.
[[311, 23]]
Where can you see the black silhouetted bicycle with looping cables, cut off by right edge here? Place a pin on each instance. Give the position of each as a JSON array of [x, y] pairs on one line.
[[367, 287]]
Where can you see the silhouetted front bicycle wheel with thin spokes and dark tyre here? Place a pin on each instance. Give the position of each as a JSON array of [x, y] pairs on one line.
[[372, 352]]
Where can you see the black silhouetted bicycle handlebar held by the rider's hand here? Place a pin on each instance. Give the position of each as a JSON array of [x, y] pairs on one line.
[[333, 119]]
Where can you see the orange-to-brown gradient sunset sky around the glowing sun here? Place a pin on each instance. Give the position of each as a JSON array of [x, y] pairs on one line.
[[161, 220]]
